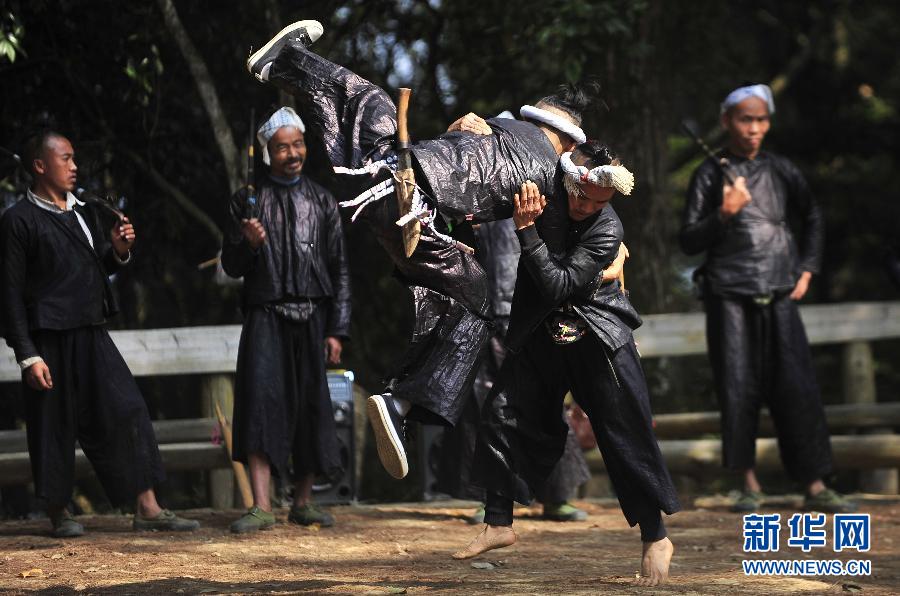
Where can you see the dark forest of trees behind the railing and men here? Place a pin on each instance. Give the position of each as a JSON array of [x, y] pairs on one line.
[[156, 99]]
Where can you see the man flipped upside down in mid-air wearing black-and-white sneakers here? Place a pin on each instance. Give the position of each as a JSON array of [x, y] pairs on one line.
[[460, 177]]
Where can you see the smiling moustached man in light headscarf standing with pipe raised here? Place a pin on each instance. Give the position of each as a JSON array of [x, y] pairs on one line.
[[288, 246]]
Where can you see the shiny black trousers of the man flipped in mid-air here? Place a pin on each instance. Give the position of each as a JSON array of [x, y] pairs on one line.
[[355, 121]]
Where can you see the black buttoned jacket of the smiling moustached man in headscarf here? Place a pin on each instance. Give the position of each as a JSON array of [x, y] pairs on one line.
[[304, 255]]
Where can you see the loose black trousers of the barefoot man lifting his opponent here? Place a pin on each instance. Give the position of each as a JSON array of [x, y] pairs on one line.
[[522, 435]]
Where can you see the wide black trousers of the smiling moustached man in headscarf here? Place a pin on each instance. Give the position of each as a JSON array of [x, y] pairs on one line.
[[282, 407]]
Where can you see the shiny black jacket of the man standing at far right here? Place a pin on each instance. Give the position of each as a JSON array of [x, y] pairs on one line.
[[754, 252]]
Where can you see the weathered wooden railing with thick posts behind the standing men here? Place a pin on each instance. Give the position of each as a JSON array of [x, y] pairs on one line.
[[212, 351]]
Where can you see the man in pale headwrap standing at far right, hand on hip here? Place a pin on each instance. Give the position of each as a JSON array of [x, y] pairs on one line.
[[754, 273]]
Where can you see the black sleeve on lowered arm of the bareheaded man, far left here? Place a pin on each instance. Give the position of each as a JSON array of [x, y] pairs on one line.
[[14, 240]]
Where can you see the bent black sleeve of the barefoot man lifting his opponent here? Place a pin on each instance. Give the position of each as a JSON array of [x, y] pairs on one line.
[[558, 279]]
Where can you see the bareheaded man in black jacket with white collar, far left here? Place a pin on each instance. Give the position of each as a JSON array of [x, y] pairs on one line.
[[56, 298]]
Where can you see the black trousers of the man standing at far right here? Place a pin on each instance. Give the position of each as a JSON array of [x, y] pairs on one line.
[[760, 355]]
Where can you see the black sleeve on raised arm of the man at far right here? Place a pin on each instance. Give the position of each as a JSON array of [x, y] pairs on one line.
[[701, 226]]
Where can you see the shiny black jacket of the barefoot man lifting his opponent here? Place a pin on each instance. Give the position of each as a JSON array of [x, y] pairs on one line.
[[545, 282]]
